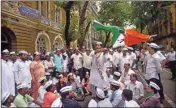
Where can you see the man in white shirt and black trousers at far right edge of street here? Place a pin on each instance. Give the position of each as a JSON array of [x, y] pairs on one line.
[[172, 62]]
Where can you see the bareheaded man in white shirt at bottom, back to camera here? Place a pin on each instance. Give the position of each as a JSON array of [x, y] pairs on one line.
[[127, 96]]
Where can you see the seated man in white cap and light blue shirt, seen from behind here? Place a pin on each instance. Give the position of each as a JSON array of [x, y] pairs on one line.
[[116, 98]]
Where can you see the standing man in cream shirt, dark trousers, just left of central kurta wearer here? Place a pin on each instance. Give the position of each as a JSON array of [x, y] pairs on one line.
[[87, 61]]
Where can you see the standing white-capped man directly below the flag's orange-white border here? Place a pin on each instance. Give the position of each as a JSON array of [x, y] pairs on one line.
[[123, 59]]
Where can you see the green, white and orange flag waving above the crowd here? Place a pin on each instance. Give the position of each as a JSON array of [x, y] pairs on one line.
[[122, 37]]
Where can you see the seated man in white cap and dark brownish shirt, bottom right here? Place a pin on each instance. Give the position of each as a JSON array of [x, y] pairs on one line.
[[152, 101]]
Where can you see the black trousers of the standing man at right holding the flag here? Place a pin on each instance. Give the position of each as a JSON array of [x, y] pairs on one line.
[[158, 82]]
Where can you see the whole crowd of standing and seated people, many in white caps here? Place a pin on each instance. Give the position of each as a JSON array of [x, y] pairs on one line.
[[62, 78]]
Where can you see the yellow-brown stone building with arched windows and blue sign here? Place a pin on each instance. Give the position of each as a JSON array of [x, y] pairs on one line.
[[31, 25]]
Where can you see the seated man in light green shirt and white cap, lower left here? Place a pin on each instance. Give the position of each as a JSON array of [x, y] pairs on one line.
[[23, 99]]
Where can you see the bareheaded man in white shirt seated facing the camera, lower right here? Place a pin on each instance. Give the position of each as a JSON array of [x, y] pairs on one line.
[[136, 87]]
